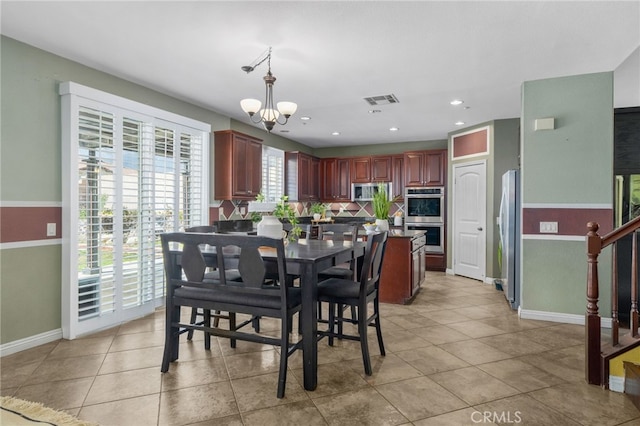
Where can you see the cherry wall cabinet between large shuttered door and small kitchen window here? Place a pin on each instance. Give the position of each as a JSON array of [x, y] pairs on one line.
[[238, 166]]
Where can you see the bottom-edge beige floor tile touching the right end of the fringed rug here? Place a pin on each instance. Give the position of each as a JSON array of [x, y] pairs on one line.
[[143, 409]]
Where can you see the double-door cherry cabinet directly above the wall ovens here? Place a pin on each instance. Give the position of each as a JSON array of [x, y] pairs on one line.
[[425, 168]]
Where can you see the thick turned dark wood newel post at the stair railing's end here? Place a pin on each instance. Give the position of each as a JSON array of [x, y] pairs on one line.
[[593, 372]]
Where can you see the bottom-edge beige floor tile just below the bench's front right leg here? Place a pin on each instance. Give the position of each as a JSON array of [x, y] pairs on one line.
[[296, 413]]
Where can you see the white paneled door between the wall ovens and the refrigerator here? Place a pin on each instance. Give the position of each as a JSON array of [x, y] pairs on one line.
[[469, 220]]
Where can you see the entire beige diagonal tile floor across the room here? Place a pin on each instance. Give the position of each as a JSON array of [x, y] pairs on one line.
[[456, 356]]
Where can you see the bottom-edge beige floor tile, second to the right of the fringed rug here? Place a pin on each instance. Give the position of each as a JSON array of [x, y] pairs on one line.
[[197, 404]]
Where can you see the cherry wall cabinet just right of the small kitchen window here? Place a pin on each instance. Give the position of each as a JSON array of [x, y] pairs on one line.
[[302, 176]]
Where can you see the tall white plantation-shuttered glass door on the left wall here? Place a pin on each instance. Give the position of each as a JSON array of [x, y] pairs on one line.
[[130, 172]]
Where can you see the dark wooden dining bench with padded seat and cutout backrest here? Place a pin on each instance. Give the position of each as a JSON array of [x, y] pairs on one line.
[[247, 296]]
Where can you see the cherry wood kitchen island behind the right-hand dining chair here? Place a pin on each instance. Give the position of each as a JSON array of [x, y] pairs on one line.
[[403, 267]]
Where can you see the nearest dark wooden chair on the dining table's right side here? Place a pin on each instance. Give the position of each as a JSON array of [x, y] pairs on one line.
[[338, 292]]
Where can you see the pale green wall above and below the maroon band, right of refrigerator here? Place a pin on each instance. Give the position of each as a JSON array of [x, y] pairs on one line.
[[571, 164]]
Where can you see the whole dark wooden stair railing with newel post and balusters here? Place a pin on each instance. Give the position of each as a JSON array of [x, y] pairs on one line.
[[594, 371]]
